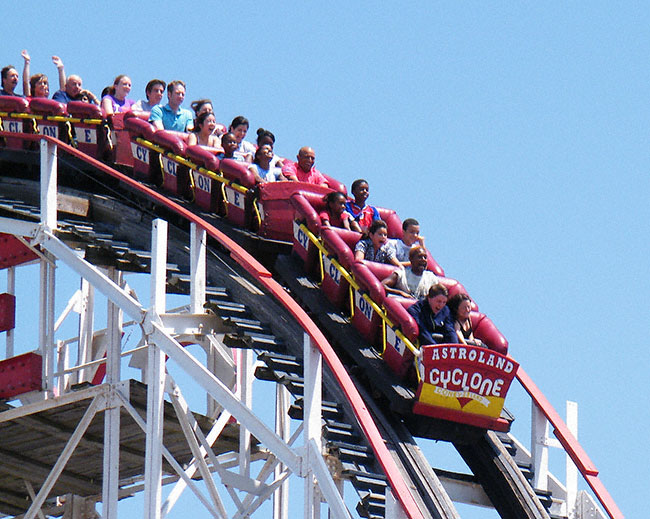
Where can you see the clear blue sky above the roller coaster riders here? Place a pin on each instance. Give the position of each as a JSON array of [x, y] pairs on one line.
[[517, 135]]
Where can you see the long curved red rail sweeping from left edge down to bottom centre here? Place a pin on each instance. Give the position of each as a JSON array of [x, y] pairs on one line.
[[265, 278]]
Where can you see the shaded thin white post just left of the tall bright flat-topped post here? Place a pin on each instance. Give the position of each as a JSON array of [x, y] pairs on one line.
[[111, 478]]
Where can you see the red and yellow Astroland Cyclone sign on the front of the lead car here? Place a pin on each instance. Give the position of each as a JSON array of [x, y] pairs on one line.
[[465, 378]]
